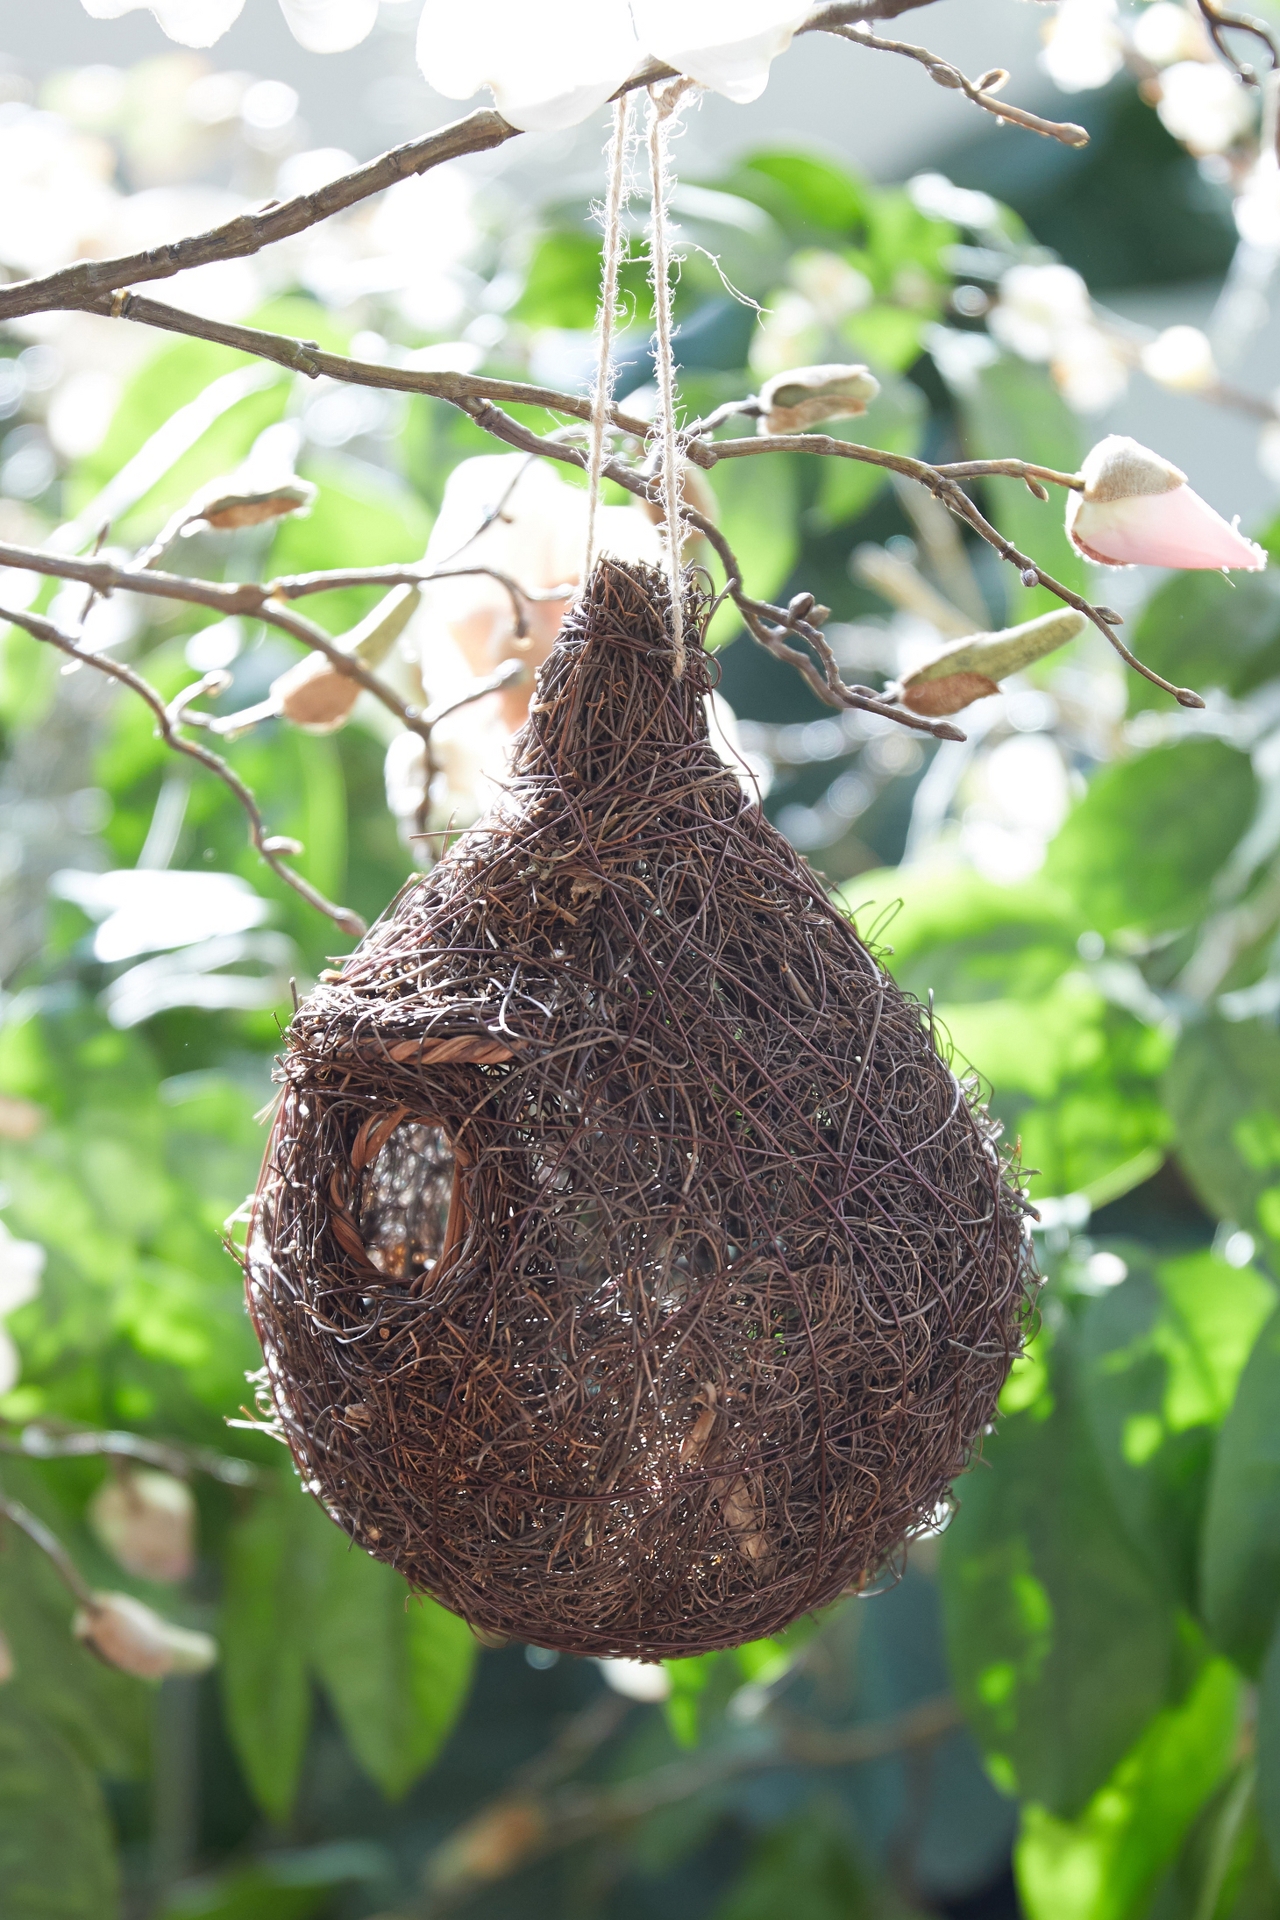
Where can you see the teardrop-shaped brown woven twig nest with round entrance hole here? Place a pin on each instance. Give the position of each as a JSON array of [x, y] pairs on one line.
[[630, 1268]]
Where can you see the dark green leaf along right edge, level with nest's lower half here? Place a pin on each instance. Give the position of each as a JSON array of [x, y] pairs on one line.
[[1241, 1558]]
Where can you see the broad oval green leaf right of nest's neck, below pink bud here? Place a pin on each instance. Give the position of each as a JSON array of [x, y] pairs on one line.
[[1149, 838]]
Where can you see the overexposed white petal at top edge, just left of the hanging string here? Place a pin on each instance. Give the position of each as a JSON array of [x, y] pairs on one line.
[[548, 66]]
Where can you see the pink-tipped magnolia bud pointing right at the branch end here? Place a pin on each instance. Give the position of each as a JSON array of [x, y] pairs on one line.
[[1137, 510]]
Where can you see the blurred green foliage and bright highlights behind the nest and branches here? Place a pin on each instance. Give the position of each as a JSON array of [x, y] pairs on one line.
[[1089, 888]]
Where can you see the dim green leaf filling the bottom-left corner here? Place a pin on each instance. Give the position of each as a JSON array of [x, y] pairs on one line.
[[57, 1848]]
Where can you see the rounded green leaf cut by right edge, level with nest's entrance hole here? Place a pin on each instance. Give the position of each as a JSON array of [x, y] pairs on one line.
[[1223, 1092]]
